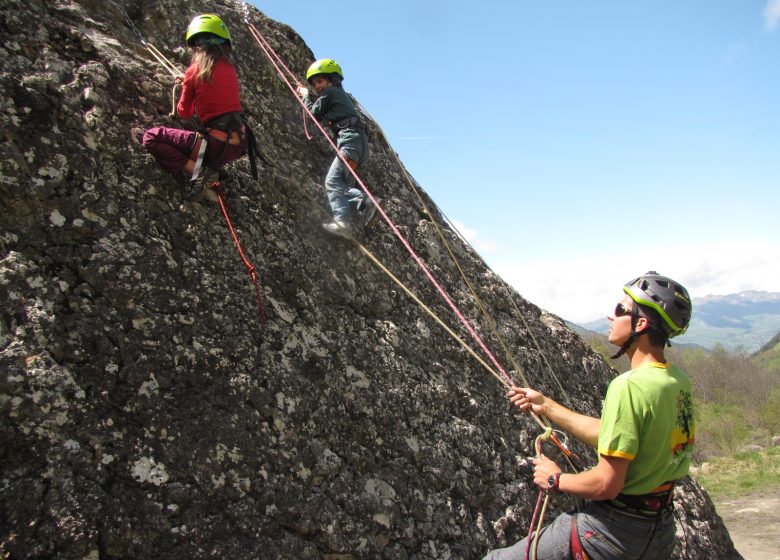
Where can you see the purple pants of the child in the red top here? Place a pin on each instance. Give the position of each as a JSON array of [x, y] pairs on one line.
[[172, 147]]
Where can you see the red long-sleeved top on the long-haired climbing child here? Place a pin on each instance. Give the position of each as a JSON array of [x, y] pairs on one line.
[[209, 98]]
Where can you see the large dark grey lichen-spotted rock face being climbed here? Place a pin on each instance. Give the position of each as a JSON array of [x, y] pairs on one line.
[[148, 412]]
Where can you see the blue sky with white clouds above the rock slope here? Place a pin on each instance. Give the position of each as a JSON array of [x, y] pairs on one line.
[[578, 144]]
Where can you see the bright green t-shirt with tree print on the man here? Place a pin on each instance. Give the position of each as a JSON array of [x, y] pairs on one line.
[[648, 419]]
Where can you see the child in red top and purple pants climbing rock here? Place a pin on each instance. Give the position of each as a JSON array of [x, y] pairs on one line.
[[209, 88]]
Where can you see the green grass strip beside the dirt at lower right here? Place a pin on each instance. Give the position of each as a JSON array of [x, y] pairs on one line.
[[741, 473]]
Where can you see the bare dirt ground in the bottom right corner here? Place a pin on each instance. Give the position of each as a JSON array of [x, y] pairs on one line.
[[753, 522]]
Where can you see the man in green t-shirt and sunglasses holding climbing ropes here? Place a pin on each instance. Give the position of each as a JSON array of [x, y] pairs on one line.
[[645, 439]]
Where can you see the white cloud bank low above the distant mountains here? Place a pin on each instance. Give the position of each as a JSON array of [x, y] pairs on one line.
[[587, 287]]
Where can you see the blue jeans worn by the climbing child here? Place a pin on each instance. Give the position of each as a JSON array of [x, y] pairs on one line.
[[344, 197]]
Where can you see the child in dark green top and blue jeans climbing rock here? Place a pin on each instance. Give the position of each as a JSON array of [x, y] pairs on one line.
[[352, 209]]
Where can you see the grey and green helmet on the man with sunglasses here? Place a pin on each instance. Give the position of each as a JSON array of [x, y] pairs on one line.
[[668, 298]]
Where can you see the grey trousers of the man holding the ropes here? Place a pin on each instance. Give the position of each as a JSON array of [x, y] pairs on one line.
[[605, 534]]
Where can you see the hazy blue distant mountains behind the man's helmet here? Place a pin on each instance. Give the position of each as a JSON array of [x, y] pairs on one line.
[[746, 320]]
